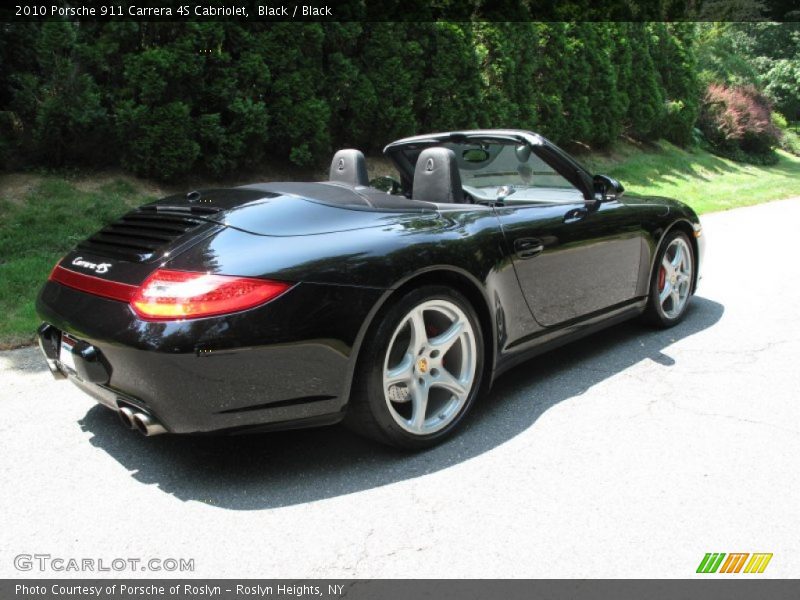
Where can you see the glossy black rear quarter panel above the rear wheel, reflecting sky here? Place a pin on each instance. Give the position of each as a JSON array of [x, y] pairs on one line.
[[466, 242]]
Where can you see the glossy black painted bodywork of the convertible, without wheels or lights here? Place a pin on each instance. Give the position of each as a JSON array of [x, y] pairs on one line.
[[539, 275]]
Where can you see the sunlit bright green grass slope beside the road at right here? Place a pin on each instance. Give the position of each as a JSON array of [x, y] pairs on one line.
[[704, 181]]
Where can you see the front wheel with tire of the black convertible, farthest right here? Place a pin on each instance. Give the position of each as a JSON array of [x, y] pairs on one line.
[[671, 287]]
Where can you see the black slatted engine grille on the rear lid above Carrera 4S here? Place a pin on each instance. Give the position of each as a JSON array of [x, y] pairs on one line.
[[140, 234]]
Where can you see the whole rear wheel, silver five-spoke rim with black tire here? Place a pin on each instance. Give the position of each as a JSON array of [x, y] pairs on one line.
[[421, 370]]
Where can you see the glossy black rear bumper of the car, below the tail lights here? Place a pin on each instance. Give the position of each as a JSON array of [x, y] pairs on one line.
[[285, 364]]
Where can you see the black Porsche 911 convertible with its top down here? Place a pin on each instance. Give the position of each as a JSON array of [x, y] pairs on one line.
[[390, 307]]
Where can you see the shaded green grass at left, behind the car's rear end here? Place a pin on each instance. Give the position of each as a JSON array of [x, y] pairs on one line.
[[39, 228]]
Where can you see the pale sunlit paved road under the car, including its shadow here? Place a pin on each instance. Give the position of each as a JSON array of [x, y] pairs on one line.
[[630, 454]]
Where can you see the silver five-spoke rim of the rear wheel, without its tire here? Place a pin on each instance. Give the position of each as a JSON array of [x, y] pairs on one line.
[[430, 367]]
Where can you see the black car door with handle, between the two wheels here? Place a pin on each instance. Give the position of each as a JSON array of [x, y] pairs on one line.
[[573, 258]]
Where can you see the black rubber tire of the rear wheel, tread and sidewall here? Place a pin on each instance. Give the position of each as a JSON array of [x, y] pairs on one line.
[[368, 412]]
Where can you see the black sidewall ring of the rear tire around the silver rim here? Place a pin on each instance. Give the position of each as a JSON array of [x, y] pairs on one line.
[[375, 356]]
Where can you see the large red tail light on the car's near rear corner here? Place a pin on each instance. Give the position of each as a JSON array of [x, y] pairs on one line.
[[170, 294]]
